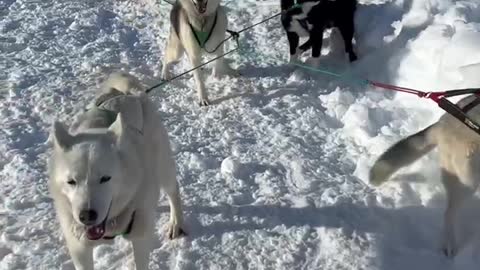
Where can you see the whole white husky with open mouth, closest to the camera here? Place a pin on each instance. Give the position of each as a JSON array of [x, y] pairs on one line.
[[107, 170]]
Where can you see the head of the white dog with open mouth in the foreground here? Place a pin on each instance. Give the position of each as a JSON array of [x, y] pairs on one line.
[[84, 169]]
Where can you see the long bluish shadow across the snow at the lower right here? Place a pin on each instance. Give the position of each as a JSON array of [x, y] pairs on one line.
[[408, 237]]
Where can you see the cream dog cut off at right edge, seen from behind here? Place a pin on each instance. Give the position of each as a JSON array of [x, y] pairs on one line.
[[459, 149]]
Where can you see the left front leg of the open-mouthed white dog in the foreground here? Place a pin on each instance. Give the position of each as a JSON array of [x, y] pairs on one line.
[[82, 255]]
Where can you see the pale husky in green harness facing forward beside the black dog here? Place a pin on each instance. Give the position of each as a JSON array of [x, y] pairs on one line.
[[197, 26]]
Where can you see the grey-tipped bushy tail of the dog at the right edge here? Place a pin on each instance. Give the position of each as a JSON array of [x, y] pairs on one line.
[[402, 153]]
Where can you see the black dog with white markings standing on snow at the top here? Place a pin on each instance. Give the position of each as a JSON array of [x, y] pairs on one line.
[[311, 17]]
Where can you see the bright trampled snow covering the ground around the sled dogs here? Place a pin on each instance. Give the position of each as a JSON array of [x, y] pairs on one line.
[[273, 174]]
